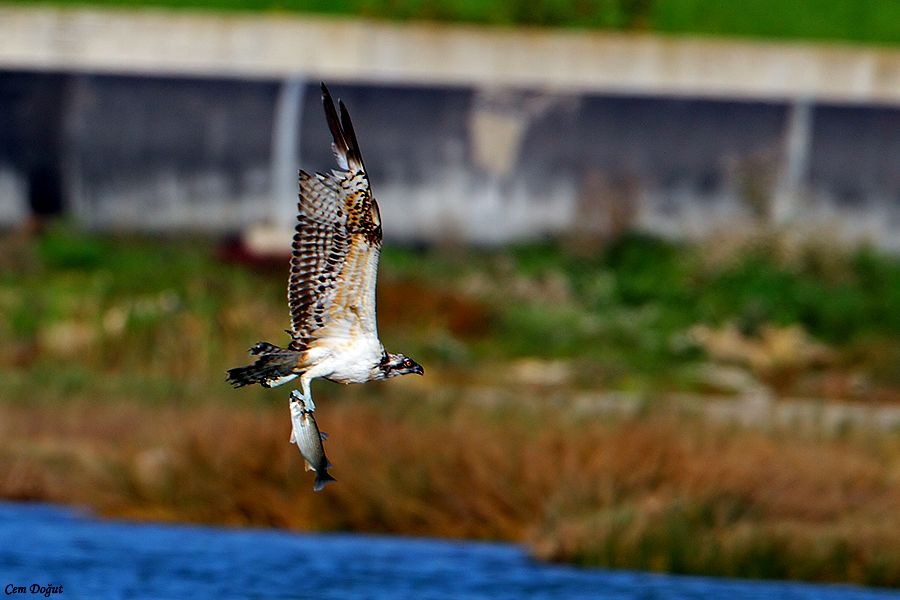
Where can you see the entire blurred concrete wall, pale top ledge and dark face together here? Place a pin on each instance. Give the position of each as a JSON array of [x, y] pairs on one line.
[[157, 120]]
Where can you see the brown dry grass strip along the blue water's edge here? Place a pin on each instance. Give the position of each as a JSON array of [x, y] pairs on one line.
[[659, 492]]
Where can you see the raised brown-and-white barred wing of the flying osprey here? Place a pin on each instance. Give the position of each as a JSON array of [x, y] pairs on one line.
[[334, 263]]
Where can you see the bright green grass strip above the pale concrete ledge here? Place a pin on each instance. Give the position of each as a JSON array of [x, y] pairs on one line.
[[871, 21]]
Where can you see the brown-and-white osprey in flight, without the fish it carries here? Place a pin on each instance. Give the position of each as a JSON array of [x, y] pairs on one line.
[[331, 288]]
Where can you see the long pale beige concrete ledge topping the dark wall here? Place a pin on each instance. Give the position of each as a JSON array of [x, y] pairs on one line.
[[277, 46]]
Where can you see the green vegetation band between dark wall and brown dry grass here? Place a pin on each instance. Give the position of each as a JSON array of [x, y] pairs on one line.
[[171, 313]]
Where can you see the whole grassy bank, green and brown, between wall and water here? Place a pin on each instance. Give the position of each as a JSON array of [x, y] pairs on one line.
[[112, 395]]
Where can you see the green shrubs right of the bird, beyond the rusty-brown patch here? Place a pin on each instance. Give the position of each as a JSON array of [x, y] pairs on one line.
[[625, 306]]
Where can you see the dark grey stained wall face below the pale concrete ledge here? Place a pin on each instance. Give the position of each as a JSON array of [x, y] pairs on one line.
[[480, 160]]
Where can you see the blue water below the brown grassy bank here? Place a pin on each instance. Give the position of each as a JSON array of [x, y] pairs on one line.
[[92, 559]]
